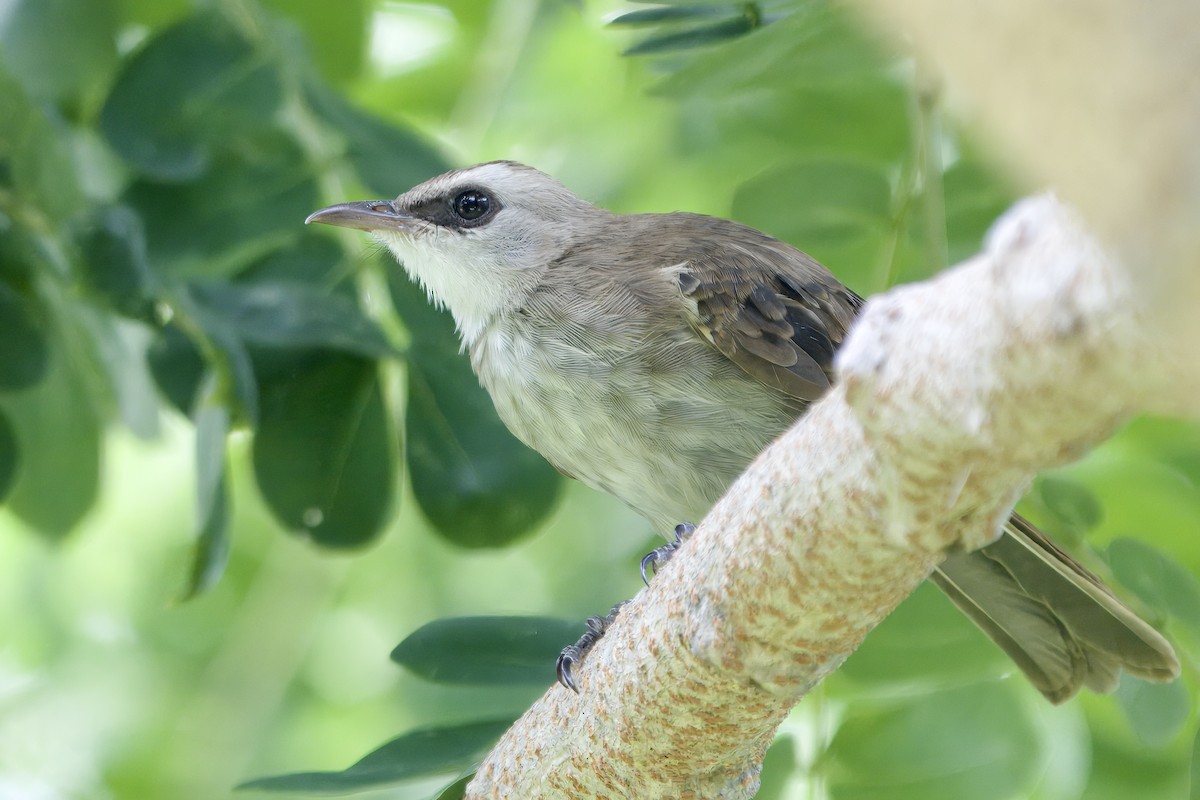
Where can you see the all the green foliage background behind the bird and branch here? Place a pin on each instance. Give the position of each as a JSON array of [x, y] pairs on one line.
[[185, 370]]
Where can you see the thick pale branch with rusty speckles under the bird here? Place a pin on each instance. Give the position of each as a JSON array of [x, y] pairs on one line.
[[953, 394]]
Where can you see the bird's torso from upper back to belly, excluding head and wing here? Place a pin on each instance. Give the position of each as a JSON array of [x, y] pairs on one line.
[[591, 375]]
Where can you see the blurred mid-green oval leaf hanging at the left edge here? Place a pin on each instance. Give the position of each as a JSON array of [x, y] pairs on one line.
[[61, 442]]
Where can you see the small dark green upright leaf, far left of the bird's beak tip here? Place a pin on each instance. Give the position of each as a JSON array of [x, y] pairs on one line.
[[115, 261]]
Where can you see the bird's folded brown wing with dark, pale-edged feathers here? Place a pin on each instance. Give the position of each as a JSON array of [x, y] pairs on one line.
[[773, 310]]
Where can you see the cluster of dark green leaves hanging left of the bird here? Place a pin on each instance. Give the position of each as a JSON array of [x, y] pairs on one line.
[[209, 142]]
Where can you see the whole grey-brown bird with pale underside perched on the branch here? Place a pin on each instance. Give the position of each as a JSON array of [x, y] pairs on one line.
[[655, 356]]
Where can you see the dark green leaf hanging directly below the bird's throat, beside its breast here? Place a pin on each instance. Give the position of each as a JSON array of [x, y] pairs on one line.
[[477, 484]]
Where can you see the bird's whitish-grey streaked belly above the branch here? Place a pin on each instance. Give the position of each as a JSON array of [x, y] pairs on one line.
[[667, 436]]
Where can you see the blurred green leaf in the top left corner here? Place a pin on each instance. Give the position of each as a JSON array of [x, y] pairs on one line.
[[33, 34]]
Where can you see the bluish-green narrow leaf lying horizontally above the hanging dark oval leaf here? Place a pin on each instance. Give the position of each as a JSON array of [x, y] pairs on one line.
[[295, 316]]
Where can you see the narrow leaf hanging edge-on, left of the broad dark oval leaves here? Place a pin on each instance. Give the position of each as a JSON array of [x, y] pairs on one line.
[[212, 492]]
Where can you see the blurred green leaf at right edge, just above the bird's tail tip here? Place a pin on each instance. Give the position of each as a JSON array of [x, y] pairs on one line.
[[1159, 581]]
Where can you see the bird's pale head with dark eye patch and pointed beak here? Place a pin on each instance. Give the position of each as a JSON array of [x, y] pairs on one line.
[[478, 239]]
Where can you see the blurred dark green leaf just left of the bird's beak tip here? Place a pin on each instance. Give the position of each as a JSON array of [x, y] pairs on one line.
[[251, 203]]
